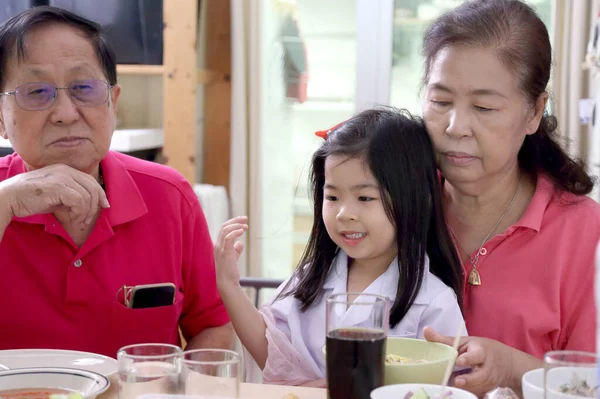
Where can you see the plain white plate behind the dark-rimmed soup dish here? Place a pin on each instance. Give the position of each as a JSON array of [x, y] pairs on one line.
[[27, 358]]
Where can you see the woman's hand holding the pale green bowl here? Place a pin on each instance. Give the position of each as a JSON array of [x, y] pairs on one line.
[[493, 363]]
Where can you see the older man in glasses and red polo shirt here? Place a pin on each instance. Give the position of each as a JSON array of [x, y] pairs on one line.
[[81, 225]]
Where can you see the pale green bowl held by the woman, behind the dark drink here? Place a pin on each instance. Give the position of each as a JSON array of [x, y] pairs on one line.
[[436, 356]]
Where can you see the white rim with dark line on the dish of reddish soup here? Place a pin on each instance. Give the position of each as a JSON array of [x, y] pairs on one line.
[[87, 383]]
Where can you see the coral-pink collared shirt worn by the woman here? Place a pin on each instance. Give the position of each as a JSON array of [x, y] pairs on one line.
[[537, 291]]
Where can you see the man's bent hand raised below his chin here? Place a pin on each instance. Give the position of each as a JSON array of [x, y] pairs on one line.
[[54, 188]]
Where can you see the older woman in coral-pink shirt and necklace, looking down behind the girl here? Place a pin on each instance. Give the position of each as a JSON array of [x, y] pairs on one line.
[[516, 202]]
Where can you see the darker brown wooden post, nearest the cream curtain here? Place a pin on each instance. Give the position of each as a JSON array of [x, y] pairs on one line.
[[217, 120]]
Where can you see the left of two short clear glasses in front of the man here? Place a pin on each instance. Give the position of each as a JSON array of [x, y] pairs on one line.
[[149, 369]]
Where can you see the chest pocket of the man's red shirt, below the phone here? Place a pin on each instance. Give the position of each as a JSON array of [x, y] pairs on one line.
[[147, 325]]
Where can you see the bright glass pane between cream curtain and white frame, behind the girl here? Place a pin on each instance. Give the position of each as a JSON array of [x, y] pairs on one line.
[[308, 61]]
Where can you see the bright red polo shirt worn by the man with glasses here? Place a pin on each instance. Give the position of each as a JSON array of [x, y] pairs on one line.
[[56, 295]]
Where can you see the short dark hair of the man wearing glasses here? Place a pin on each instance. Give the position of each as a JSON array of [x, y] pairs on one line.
[[13, 34]]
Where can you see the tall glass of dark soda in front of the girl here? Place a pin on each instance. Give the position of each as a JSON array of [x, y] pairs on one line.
[[357, 327]]
